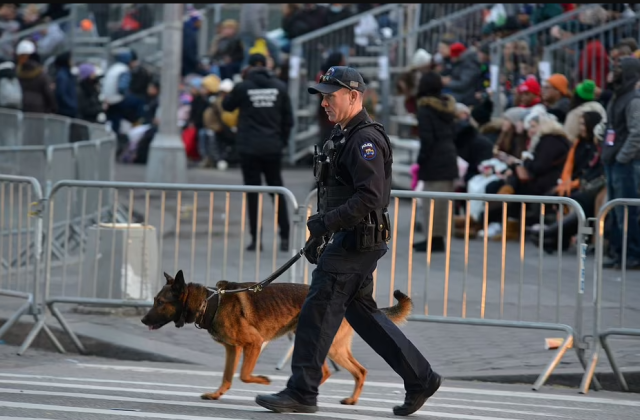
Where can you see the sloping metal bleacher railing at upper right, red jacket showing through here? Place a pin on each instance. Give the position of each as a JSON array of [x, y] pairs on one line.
[[584, 55]]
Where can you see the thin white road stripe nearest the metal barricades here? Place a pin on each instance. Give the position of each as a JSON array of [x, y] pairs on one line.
[[495, 393]]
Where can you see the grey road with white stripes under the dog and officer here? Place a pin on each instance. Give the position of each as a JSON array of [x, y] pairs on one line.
[[83, 388]]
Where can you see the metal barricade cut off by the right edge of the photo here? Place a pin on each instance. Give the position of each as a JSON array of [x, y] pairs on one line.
[[612, 314]]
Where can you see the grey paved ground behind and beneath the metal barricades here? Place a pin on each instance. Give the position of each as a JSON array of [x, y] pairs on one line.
[[532, 291]]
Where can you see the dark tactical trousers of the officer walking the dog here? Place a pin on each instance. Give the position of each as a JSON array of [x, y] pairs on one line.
[[341, 287]]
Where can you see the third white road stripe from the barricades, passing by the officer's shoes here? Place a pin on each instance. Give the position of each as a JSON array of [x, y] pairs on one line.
[[237, 407]]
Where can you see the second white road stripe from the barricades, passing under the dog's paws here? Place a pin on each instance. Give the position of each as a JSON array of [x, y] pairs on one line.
[[266, 390]]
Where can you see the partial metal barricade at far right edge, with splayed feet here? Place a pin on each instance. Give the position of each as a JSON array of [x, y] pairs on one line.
[[616, 308]]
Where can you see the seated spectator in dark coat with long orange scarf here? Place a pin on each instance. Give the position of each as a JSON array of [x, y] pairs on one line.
[[582, 180]]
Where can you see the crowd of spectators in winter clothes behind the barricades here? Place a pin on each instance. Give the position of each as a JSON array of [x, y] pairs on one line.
[[574, 133]]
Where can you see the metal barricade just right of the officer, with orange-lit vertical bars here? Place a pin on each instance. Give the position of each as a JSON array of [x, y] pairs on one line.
[[451, 292]]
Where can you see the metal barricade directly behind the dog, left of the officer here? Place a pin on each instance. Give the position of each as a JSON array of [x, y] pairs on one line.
[[120, 264]]
